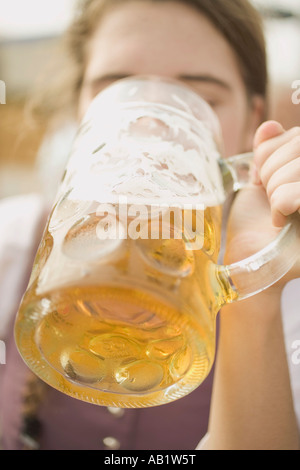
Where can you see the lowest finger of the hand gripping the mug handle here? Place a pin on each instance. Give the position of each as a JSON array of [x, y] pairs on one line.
[[285, 201]]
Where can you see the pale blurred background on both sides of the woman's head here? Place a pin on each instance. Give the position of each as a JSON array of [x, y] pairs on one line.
[[29, 38]]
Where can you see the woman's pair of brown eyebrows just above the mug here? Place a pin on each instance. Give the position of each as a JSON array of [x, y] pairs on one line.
[[206, 79]]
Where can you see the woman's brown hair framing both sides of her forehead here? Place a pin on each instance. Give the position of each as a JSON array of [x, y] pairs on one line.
[[237, 20]]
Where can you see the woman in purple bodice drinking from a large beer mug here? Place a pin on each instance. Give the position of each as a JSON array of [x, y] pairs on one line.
[[216, 48]]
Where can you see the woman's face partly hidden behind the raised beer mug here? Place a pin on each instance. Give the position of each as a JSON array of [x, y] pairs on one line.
[[174, 40]]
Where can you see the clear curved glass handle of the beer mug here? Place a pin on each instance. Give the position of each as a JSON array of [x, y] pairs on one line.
[[252, 275]]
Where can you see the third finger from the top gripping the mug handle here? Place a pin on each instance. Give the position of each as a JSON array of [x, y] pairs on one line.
[[281, 157]]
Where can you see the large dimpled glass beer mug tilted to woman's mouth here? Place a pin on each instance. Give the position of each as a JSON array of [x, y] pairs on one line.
[[122, 302]]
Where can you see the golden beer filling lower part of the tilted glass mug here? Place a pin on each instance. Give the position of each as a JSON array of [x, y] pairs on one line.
[[130, 328]]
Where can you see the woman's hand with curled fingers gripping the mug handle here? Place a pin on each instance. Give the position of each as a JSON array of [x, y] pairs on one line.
[[260, 210]]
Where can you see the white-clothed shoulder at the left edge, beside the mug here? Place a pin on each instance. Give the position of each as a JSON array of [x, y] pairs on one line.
[[21, 219]]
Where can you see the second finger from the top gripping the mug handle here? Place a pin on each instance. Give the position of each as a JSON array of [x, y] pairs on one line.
[[266, 148]]
